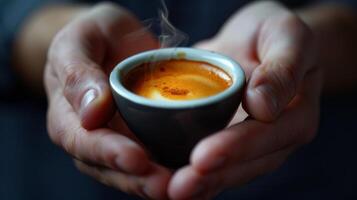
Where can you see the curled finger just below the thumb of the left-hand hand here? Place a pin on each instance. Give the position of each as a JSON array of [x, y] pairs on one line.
[[100, 146]]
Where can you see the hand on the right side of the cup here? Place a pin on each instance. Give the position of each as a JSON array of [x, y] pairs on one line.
[[276, 50]]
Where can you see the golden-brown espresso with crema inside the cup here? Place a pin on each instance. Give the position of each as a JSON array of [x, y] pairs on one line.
[[176, 80]]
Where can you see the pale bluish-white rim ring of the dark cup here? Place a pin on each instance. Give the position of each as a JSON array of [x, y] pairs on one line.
[[237, 74]]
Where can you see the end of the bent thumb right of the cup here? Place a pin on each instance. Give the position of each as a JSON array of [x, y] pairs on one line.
[[271, 87]]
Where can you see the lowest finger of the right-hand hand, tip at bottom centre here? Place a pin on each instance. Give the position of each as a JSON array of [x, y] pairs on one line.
[[188, 183]]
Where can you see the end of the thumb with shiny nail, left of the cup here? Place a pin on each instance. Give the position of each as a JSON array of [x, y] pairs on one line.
[[86, 88]]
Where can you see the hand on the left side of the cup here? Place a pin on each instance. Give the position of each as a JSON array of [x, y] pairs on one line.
[[81, 108]]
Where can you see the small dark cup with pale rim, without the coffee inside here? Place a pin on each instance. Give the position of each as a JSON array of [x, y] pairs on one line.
[[170, 129]]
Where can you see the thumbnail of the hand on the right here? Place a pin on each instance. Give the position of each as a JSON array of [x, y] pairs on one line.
[[268, 92]]
